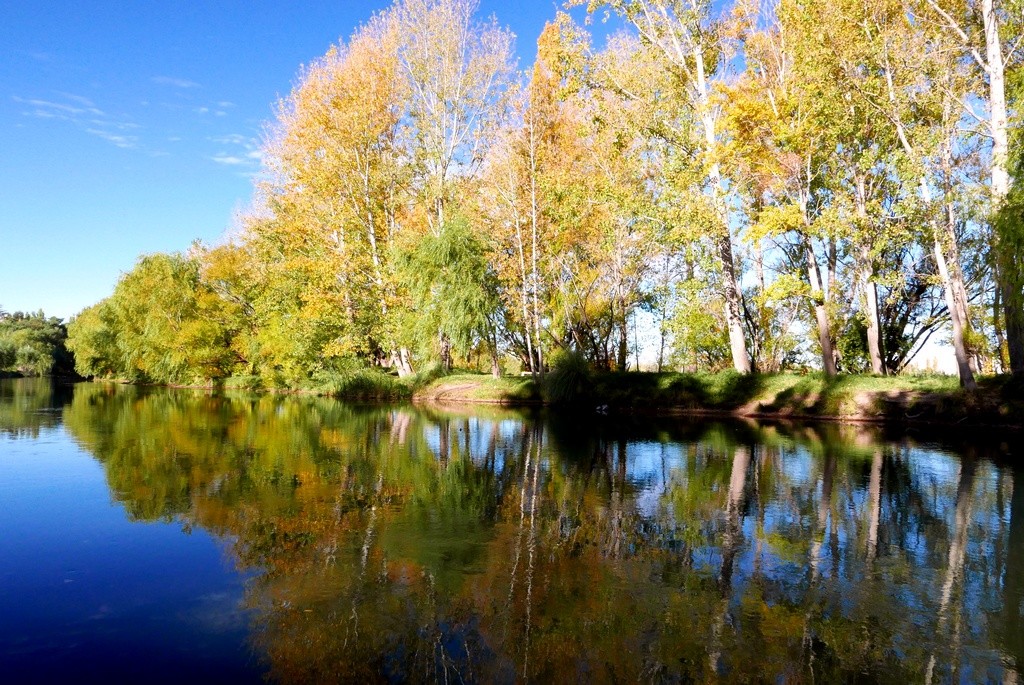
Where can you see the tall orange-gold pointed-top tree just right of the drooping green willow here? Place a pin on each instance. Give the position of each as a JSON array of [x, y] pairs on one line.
[[573, 206]]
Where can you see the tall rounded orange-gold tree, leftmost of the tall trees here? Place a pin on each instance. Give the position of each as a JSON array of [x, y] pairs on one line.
[[332, 201]]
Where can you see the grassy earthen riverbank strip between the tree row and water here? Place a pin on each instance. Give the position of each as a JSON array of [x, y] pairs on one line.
[[893, 401]]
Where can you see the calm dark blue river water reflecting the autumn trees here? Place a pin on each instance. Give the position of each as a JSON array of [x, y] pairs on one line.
[[170, 536]]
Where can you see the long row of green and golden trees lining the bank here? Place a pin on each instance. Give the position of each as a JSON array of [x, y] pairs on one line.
[[761, 187]]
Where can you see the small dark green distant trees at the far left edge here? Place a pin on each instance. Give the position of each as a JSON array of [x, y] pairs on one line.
[[34, 346]]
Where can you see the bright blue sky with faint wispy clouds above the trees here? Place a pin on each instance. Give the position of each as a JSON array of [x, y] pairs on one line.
[[135, 127]]
